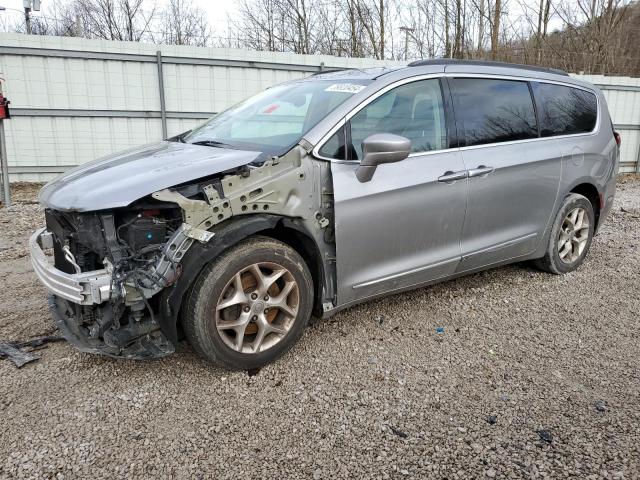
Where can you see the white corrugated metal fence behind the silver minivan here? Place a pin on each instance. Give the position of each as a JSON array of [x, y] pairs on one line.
[[74, 100]]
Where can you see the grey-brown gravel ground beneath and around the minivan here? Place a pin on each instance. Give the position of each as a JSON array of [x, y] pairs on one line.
[[533, 376]]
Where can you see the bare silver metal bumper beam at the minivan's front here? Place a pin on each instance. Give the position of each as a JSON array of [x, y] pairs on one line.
[[83, 288]]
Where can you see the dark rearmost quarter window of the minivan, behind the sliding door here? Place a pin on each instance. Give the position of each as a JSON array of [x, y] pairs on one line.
[[565, 110]]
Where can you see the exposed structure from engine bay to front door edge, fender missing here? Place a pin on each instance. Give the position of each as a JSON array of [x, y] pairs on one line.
[[153, 249]]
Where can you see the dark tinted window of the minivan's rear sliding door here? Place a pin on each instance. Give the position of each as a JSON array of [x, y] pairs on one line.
[[491, 111]]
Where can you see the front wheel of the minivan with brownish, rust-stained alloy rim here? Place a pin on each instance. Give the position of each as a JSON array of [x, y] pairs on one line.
[[250, 326]]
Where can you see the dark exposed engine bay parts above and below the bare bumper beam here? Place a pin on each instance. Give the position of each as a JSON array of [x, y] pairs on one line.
[[128, 244]]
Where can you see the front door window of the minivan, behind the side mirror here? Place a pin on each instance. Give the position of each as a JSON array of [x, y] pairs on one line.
[[414, 110]]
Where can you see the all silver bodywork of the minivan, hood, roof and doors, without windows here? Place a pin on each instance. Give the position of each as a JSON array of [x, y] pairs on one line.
[[403, 228]]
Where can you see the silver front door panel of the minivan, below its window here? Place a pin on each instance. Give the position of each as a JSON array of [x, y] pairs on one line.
[[414, 235]]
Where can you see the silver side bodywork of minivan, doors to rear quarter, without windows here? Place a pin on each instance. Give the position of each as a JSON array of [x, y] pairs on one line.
[[405, 229]]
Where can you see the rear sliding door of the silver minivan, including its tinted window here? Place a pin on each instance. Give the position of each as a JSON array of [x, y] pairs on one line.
[[513, 175]]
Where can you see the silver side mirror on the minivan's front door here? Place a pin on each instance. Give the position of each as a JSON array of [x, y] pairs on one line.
[[381, 148]]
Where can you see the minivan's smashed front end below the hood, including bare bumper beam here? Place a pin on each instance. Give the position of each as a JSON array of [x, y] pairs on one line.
[[107, 269]]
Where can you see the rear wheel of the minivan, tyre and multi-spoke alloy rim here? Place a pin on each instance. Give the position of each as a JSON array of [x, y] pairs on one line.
[[569, 226]]
